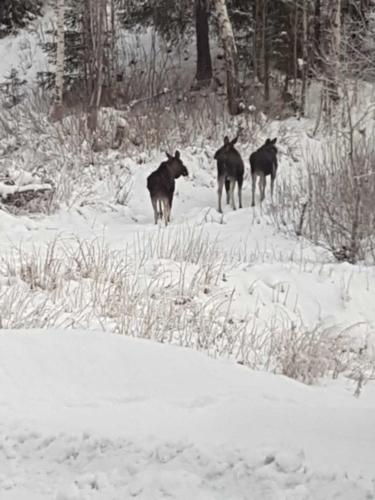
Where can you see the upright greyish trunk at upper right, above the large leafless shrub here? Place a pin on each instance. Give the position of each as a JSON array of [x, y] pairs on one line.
[[331, 12]]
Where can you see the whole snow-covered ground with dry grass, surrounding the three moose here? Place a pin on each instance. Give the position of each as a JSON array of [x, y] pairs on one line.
[[85, 414]]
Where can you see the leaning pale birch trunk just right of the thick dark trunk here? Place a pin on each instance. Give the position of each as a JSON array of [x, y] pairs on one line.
[[230, 54]]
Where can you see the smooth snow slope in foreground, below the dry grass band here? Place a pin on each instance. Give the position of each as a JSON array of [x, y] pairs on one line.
[[85, 415]]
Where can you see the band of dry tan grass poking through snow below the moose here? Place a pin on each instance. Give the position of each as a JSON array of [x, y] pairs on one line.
[[171, 287]]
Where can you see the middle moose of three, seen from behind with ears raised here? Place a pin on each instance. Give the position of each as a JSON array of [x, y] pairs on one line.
[[230, 169]]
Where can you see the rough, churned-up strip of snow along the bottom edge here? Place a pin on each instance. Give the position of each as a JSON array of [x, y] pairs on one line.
[[84, 467]]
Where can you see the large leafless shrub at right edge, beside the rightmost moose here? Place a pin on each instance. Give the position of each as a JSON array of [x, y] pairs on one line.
[[333, 203]]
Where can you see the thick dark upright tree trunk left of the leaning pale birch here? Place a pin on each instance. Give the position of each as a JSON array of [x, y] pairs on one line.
[[204, 64]]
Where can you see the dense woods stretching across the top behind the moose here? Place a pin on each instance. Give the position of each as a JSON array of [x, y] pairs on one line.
[[264, 50]]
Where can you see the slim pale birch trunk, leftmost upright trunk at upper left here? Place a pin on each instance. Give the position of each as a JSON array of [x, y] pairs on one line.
[[60, 56]]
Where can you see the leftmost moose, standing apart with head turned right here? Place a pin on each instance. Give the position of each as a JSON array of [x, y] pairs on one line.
[[161, 185]]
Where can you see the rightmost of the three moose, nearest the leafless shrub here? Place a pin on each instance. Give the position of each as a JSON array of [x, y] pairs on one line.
[[263, 162]]
